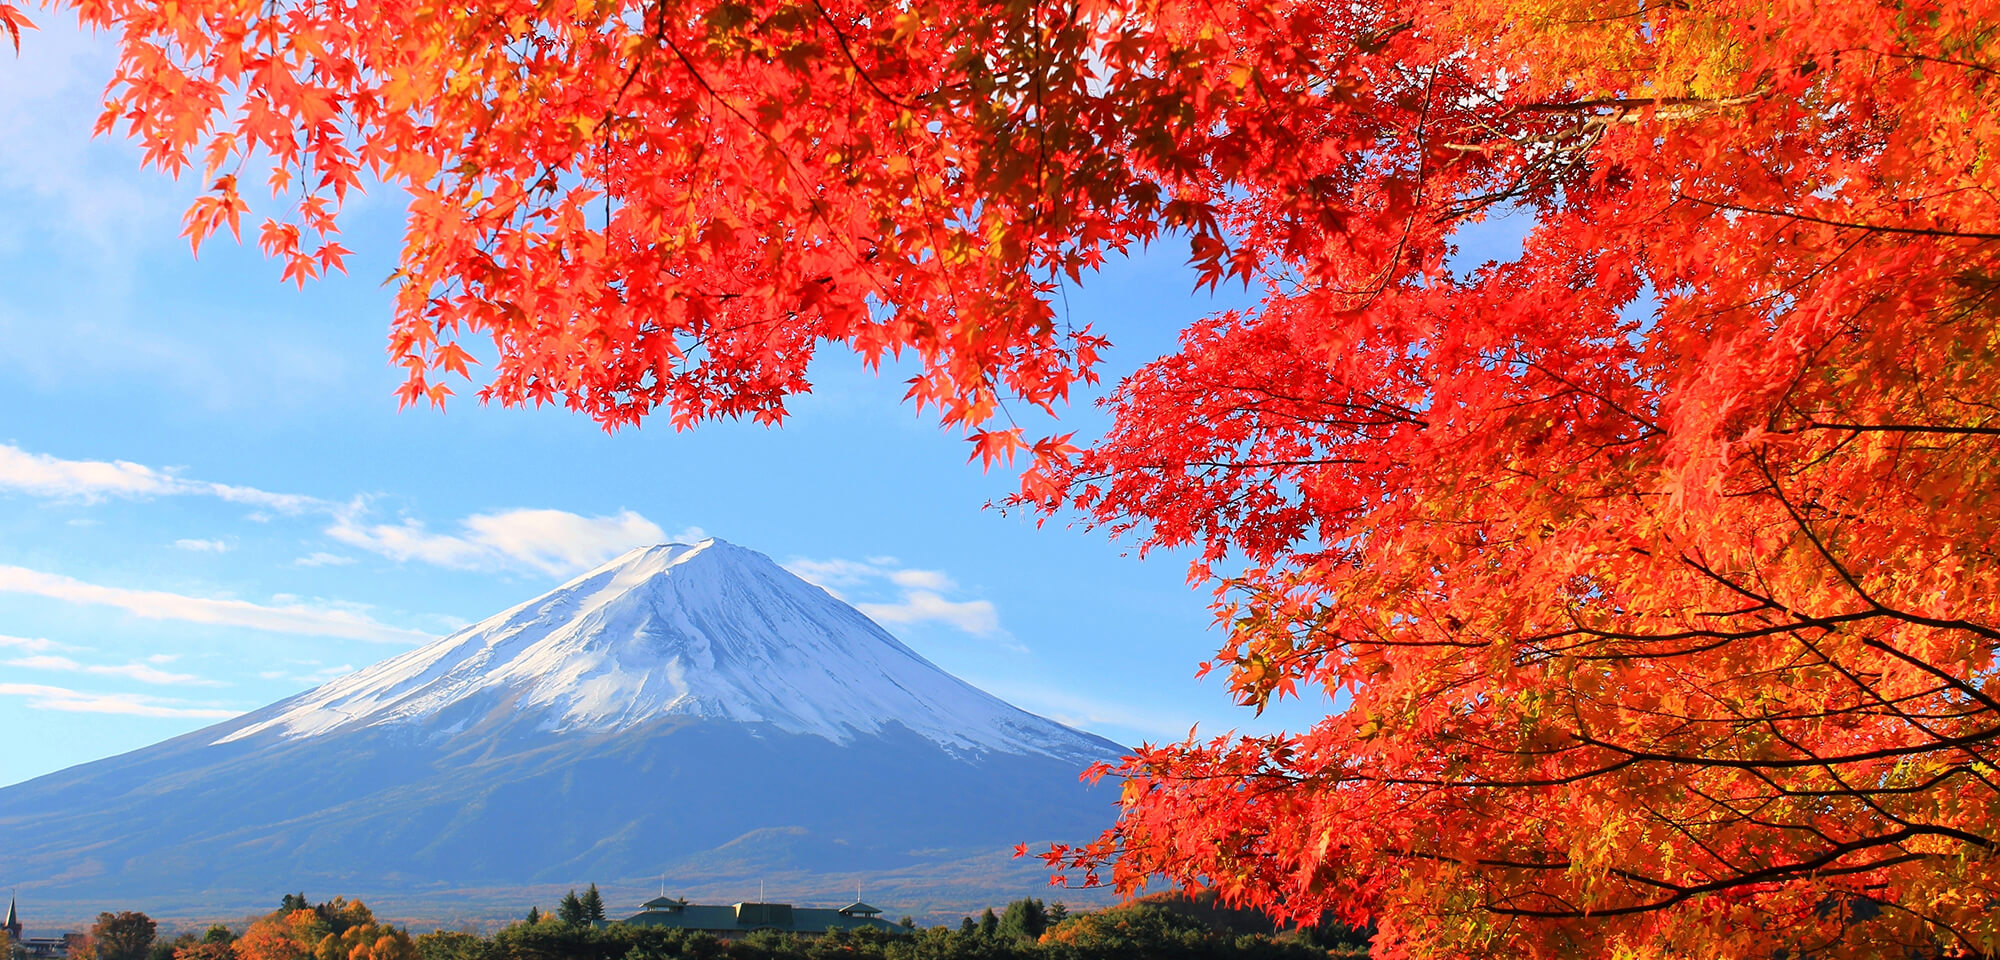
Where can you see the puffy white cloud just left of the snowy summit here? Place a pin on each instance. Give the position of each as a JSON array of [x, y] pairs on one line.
[[547, 541]]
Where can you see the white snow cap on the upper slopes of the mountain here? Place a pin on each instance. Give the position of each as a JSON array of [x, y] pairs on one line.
[[703, 631]]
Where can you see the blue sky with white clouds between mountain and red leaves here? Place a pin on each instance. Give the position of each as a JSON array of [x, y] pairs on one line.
[[209, 499]]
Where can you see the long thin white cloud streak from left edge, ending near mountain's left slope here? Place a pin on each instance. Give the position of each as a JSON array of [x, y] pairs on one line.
[[161, 605]]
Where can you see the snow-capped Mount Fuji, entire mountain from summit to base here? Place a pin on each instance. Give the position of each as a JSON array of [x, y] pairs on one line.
[[691, 711]]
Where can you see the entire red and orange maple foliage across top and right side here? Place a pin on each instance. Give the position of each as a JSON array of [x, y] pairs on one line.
[[1655, 571]]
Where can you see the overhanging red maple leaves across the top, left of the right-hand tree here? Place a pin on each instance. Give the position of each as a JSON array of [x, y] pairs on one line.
[[663, 205]]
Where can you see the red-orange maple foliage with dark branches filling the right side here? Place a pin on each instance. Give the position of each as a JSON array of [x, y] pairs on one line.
[[1657, 573]]
